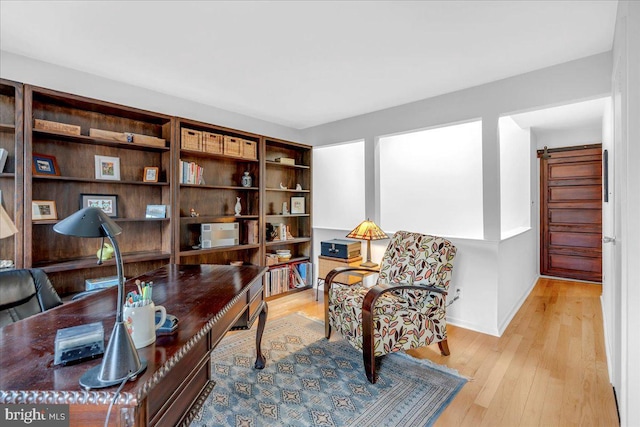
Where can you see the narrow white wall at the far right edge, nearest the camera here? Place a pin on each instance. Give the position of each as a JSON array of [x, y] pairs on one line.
[[626, 315]]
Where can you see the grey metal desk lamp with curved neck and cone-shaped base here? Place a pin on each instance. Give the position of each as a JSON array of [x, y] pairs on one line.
[[120, 360]]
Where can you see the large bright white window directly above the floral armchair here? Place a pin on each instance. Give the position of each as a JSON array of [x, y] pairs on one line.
[[431, 181]]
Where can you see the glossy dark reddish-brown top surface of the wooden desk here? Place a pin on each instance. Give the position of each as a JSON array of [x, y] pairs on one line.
[[195, 294]]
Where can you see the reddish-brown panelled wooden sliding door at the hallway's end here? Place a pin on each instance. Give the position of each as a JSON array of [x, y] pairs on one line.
[[571, 213]]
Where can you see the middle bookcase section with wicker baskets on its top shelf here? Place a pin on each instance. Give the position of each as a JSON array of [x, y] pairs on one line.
[[213, 198]]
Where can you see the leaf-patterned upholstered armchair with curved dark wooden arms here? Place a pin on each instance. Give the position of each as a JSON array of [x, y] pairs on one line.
[[407, 306]]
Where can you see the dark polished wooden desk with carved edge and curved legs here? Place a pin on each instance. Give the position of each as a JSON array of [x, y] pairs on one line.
[[207, 299]]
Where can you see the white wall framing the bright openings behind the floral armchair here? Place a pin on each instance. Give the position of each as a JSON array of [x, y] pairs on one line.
[[487, 267]]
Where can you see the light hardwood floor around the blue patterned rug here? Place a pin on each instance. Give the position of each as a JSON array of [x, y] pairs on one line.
[[548, 368]]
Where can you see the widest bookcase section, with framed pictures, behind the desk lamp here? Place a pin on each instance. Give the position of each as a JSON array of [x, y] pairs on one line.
[[145, 242]]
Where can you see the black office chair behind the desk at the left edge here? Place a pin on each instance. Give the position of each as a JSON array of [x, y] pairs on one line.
[[23, 293]]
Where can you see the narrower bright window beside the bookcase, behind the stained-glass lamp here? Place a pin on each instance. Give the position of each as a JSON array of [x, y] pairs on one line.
[[338, 185]]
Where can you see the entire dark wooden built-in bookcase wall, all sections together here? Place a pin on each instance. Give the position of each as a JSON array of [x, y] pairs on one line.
[[55, 164]]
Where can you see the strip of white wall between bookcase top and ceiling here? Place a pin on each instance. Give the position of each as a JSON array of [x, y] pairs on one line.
[[29, 71]]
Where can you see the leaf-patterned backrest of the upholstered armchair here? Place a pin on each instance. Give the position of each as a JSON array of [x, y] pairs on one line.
[[417, 259]]
